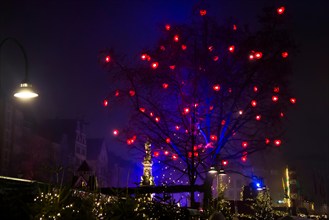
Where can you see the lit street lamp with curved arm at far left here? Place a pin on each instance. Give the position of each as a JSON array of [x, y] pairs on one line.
[[25, 89]]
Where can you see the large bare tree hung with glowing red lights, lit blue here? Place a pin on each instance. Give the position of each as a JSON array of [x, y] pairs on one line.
[[205, 94]]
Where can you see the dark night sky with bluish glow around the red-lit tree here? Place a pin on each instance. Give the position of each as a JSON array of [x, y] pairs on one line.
[[63, 38]]
